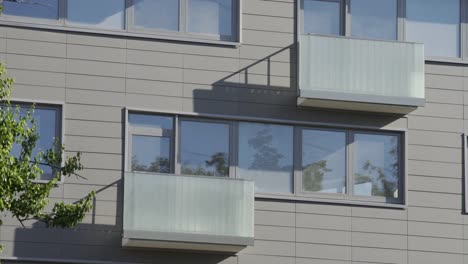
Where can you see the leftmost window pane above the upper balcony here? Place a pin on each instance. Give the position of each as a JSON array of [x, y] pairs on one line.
[[322, 17]]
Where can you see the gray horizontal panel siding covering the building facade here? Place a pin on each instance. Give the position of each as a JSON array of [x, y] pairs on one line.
[[96, 76]]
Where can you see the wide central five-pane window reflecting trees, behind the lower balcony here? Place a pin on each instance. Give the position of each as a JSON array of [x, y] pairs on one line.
[[283, 160]]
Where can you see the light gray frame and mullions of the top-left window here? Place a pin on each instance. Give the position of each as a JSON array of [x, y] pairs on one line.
[[62, 24]]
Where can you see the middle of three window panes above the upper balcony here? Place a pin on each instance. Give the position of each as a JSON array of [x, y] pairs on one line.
[[374, 19]]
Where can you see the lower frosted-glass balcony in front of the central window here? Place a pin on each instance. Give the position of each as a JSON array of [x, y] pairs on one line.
[[210, 214]]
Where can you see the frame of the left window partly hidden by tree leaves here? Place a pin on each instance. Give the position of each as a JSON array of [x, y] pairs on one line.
[[59, 107]]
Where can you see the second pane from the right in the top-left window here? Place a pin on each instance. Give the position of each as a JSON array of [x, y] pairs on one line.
[[156, 14]]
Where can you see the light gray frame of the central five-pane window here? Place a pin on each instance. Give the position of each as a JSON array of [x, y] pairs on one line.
[[298, 194]]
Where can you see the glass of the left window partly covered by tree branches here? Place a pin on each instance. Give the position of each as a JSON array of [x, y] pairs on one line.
[[47, 120]]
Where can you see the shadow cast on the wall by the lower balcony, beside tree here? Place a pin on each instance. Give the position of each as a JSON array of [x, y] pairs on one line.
[[93, 241]]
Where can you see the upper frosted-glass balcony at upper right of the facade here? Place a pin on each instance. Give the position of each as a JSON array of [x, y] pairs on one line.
[[362, 75]]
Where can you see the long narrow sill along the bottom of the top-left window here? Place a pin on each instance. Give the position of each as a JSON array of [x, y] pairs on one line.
[[116, 33]]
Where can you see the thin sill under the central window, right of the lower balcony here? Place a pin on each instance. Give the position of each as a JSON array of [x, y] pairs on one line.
[[330, 201]]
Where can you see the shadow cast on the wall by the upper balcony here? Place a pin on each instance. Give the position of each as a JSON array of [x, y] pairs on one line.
[[268, 88]]
